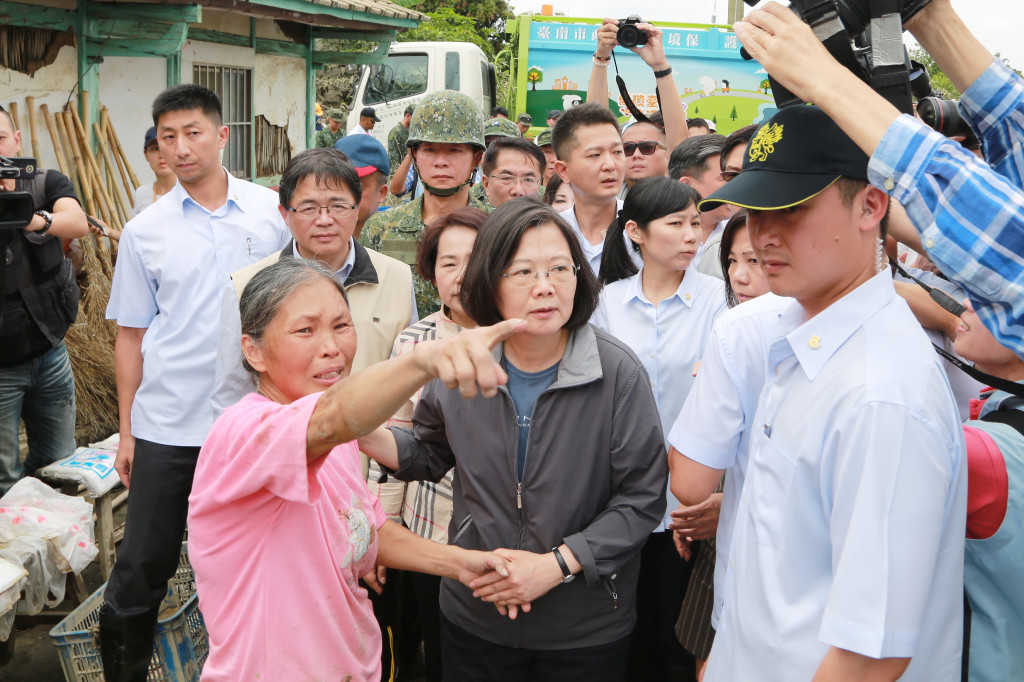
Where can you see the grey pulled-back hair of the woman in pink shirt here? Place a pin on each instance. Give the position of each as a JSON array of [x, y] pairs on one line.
[[264, 296]]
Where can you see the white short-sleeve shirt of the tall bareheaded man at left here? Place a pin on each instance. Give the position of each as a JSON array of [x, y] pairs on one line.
[[173, 263]]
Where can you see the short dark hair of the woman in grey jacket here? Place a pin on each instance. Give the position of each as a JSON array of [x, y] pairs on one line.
[[495, 248]]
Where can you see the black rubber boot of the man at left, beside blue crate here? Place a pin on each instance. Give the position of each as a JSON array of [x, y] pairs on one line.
[[126, 646]]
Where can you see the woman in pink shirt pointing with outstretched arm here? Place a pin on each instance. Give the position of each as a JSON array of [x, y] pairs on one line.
[[282, 525]]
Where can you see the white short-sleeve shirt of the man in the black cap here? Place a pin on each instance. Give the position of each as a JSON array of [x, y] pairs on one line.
[[850, 529]]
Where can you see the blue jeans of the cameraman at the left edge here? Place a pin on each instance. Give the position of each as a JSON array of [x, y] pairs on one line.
[[41, 392]]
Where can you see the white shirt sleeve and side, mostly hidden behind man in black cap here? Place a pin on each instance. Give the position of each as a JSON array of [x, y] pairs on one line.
[[715, 423]]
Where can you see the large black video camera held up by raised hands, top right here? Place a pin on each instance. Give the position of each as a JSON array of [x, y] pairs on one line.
[[867, 37]]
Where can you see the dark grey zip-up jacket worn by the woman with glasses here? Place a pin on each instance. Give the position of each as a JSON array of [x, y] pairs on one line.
[[595, 478]]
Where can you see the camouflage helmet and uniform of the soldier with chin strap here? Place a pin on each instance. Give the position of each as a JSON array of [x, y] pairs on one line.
[[447, 117]]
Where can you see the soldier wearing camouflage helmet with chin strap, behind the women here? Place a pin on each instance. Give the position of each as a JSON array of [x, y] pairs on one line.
[[446, 137]]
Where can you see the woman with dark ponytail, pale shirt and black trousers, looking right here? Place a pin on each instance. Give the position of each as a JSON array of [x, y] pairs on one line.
[[664, 313]]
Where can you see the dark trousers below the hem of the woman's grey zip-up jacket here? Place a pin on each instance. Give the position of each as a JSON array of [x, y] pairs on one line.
[[470, 659]]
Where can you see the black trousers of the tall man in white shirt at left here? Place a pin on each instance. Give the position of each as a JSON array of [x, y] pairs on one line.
[[158, 508]]
